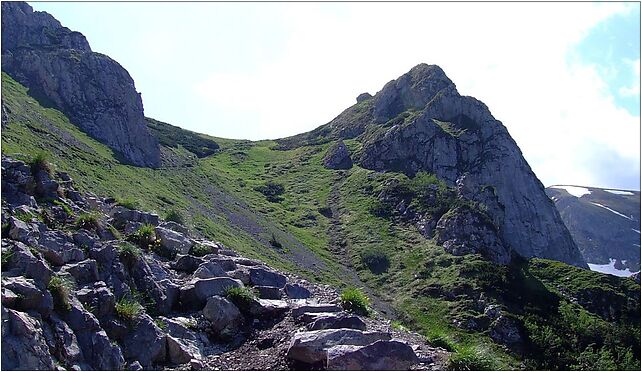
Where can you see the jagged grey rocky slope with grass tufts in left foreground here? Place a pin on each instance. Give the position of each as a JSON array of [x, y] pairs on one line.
[[88, 284]]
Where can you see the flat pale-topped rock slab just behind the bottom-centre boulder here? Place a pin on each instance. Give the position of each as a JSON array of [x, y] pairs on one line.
[[311, 347]]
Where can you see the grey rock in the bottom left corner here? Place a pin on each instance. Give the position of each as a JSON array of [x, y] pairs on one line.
[[23, 343]]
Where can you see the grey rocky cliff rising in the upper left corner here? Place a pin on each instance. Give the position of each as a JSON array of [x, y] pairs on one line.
[[60, 70]]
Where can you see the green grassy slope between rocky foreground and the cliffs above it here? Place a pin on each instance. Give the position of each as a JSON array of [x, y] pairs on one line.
[[428, 287]]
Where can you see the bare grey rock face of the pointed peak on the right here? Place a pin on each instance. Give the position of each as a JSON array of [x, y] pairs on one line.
[[419, 122]]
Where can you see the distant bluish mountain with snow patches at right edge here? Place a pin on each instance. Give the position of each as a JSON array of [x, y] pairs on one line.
[[605, 224]]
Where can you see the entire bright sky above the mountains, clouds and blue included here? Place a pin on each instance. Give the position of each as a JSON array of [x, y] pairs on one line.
[[564, 78]]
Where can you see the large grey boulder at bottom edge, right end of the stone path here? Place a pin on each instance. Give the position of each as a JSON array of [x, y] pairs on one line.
[[379, 356]]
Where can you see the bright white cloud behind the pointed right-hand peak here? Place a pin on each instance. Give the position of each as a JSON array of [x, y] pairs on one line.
[[512, 56]]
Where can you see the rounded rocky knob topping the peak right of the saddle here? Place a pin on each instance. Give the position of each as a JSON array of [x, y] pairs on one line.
[[411, 91]]
